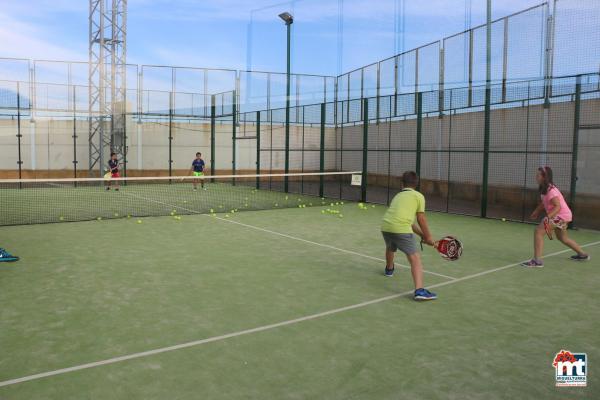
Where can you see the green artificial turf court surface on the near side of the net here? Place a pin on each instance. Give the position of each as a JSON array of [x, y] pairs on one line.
[[289, 303]]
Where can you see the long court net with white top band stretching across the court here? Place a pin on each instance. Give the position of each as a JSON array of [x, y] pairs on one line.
[[35, 201]]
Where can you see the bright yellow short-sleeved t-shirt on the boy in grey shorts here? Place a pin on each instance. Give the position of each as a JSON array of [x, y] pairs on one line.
[[402, 211]]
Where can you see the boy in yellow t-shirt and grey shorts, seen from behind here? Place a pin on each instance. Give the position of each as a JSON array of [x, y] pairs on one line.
[[398, 227]]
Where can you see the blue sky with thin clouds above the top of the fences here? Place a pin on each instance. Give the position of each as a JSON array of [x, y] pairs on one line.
[[239, 34]]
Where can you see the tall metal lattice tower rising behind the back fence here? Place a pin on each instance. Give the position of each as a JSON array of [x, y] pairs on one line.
[[107, 81]]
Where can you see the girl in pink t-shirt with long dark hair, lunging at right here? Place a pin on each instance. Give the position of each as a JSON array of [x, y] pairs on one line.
[[558, 215]]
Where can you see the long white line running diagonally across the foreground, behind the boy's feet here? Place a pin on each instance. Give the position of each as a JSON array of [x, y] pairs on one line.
[[258, 329]]
